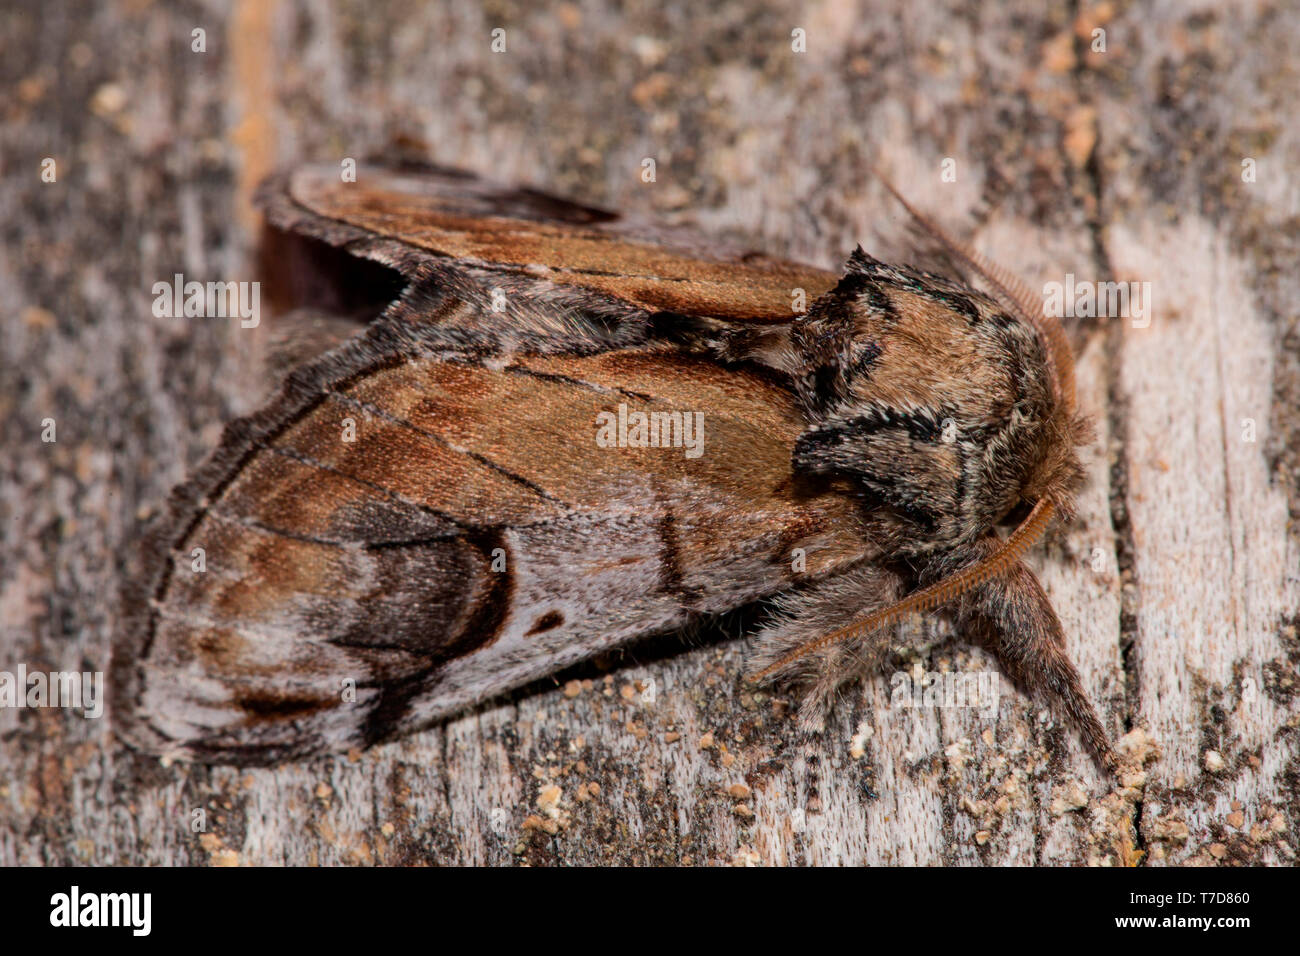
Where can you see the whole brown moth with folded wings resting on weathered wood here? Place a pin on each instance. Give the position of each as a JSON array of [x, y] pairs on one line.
[[571, 431]]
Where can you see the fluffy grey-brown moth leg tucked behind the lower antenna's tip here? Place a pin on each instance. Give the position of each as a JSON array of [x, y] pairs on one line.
[[808, 615]]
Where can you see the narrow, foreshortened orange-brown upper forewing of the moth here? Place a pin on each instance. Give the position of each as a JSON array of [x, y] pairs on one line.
[[436, 214]]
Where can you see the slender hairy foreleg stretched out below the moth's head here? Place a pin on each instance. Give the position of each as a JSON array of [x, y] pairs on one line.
[[1013, 617]]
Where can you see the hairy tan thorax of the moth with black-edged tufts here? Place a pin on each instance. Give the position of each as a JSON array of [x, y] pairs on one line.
[[935, 400]]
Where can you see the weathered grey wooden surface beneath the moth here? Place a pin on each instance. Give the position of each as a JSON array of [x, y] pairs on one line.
[[1180, 585]]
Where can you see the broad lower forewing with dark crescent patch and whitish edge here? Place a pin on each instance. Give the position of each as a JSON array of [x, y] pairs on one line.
[[474, 535]]
